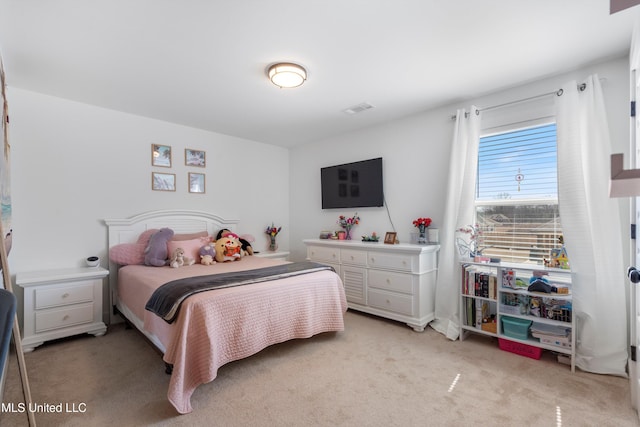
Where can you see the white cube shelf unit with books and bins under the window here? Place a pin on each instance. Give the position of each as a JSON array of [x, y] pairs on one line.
[[543, 309]]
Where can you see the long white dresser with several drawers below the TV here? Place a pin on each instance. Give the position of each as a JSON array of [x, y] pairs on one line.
[[393, 281]]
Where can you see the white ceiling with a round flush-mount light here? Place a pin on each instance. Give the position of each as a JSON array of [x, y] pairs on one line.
[[203, 63]]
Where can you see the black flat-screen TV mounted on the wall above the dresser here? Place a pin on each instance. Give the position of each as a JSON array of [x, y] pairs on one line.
[[352, 185]]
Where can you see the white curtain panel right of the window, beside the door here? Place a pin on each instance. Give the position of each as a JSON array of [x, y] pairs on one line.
[[592, 228]]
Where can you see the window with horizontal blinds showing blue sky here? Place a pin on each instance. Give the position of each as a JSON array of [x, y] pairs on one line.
[[517, 194]]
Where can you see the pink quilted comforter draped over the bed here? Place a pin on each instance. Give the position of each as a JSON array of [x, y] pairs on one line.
[[220, 326]]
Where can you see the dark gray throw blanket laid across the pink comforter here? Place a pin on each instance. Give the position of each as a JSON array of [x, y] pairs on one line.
[[166, 300]]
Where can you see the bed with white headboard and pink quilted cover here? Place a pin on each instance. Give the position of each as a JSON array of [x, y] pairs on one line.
[[217, 326]]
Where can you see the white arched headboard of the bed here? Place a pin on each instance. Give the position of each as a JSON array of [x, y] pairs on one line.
[[180, 221]]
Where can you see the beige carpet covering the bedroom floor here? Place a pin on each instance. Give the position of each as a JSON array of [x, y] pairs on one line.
[[375, 373]]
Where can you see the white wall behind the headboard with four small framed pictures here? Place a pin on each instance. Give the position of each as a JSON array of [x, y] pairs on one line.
[[74, 165]]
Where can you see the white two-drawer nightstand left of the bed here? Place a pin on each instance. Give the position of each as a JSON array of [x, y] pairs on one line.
[[61, 303]]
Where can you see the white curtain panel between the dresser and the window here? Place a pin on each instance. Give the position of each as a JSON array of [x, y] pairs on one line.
[[459, 212]]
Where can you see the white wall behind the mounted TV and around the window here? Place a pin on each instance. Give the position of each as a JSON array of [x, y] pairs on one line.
[[416, 152]]
